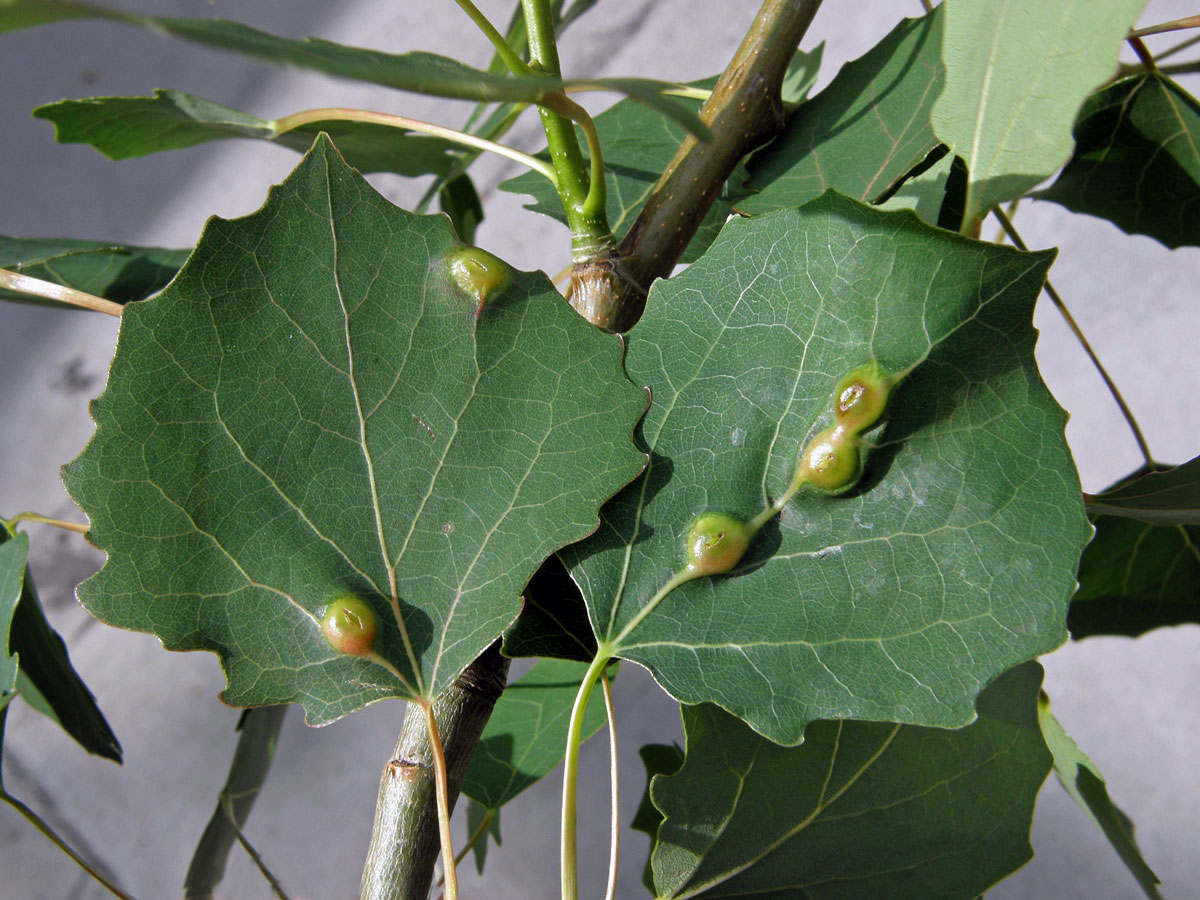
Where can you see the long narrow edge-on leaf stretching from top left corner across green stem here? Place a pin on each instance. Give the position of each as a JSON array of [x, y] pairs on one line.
[[419, 73]]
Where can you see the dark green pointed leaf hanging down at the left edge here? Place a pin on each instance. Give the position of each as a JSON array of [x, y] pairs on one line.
[[49, 681]]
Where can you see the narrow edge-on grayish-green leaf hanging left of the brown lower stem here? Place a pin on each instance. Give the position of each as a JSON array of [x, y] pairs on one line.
[[259, 731]]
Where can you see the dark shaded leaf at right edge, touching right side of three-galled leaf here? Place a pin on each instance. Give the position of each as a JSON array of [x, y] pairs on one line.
[[1136, 578]]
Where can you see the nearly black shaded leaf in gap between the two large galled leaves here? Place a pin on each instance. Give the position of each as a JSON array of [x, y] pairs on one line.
[[554, 620]]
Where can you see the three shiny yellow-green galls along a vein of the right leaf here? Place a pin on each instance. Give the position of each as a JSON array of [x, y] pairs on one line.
[[832, 461]]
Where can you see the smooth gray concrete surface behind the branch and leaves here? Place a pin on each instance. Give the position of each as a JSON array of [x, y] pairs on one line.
[[1130, 704]]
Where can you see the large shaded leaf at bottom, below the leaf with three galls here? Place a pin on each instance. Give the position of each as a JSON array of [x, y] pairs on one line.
[[861, 811]]
